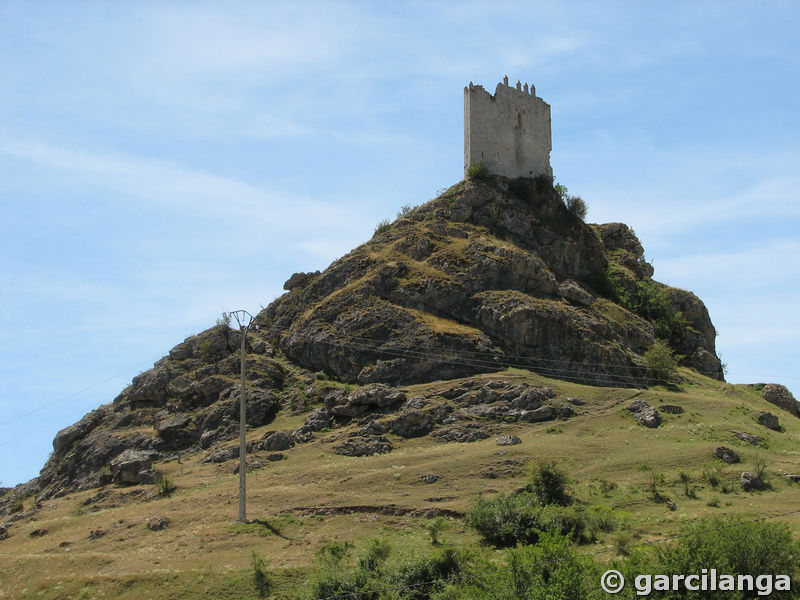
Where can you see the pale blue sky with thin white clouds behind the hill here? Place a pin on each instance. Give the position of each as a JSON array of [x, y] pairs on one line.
[[161, 162]]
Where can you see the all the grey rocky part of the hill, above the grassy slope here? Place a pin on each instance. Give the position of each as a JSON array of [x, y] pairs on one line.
[[492, 274]]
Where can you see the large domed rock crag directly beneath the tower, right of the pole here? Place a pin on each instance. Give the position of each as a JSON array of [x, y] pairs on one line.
[[491, 273]]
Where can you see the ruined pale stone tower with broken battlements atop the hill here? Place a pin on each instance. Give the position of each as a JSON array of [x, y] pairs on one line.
[[508, 132]]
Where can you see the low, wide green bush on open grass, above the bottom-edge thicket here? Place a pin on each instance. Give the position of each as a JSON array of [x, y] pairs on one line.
[[508, 520]]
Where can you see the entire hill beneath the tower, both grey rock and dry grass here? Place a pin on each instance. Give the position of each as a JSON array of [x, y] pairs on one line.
[[490, 310]]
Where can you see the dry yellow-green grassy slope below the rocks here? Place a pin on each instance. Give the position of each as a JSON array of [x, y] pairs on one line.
[[315, 497]]
